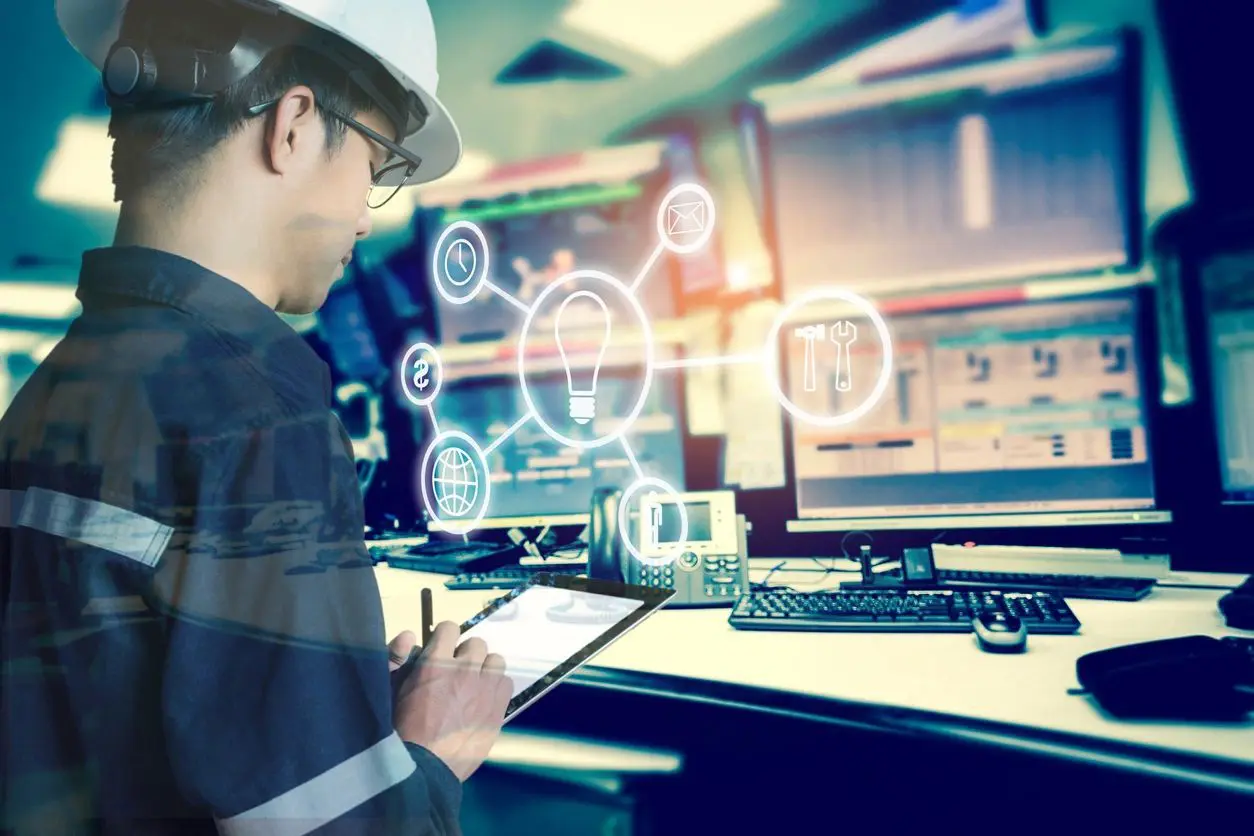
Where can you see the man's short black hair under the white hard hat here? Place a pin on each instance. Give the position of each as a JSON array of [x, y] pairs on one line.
[[165, 149]]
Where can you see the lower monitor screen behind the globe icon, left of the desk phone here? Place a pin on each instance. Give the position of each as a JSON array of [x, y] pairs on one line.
[[539, 481]]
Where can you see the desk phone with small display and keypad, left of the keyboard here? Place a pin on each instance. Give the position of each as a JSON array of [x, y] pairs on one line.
[[709, 567]]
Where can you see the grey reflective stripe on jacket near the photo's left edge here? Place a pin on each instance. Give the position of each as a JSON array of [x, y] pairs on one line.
[[88, 521]]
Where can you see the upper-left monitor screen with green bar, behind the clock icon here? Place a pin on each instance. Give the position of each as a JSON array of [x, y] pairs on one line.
[[540, 238]]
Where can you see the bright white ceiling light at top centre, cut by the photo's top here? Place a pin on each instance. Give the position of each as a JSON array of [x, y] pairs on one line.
[[665, 31]]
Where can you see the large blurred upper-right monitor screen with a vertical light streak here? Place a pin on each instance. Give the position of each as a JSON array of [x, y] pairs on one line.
[[1009, 169]]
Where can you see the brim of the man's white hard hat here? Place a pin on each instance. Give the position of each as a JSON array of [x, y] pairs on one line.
[[92, 27]]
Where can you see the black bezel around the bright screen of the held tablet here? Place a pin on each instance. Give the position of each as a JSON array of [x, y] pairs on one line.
[[651, 598]]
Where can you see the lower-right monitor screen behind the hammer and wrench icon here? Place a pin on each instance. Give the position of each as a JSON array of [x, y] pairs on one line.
[[1020, 414]]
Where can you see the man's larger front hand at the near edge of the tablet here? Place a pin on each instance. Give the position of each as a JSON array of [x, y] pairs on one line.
[[453, 703]]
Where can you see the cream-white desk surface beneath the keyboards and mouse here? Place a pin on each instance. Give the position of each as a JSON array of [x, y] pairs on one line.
[[945, 674]]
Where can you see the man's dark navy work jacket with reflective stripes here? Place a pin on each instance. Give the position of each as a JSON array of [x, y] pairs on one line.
[[192, 632]]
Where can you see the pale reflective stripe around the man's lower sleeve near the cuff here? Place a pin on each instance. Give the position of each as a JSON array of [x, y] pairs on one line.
[[329, 797]]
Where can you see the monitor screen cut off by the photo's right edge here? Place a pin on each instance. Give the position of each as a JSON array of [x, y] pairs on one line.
[[1228, 288]]
